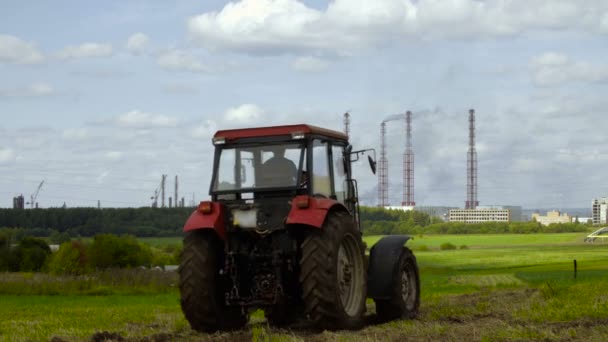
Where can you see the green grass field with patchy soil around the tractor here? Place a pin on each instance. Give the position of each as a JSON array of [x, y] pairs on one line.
[[502, 288]]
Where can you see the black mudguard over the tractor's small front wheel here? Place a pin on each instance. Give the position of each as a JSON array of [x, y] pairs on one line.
[[383, 258]]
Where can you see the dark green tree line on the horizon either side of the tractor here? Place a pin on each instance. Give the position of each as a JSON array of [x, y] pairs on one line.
[[61, 224]]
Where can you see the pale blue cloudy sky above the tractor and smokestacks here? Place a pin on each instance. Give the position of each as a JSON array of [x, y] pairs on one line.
[[100, 99]]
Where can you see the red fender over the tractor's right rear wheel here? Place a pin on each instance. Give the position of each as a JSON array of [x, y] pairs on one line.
[[311, 211]]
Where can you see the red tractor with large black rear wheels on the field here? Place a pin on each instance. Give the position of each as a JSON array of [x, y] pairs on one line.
[[281, 233]]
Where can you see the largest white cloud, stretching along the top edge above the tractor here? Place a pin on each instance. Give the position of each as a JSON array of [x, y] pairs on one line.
[[280, 26]]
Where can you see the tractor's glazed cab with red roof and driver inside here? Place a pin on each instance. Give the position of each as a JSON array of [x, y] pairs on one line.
[[269, 167]]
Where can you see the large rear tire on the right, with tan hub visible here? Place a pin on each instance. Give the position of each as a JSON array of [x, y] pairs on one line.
[[333, 274]]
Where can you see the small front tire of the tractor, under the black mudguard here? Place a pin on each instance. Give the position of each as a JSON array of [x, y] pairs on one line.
[[405, 291]]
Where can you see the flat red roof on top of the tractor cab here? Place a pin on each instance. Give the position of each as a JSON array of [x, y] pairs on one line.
[[259, 132]]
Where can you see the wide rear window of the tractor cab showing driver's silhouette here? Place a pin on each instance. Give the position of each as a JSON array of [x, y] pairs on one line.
[[255, 167]]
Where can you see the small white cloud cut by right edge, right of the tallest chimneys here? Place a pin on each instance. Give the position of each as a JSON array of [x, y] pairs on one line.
[[551, 69]]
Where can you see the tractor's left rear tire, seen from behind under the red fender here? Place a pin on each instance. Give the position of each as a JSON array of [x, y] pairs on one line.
[[202, 295]]
